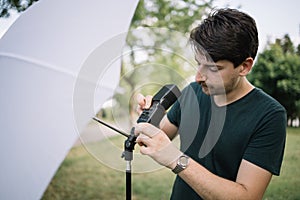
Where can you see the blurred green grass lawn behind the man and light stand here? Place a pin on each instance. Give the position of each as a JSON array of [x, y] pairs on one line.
[[82, 176]]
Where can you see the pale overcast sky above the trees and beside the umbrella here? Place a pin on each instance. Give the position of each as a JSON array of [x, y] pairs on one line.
[[274, 18]]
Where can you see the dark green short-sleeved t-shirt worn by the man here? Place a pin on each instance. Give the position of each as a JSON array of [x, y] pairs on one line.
[[252, 128]]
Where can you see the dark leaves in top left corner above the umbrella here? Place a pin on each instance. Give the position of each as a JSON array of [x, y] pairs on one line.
[[19, 5]]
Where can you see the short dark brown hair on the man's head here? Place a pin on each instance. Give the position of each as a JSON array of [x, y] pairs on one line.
[[227, 34]]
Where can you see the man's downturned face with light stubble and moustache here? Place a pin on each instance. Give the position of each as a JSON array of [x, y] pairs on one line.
[[217, 78]]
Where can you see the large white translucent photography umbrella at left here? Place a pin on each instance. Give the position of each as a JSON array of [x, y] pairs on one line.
[[46, 58]]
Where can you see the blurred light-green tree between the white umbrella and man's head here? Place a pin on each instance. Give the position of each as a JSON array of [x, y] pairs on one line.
[[157, 46]]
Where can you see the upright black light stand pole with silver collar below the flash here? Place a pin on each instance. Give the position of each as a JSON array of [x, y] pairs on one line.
[[128, 156]]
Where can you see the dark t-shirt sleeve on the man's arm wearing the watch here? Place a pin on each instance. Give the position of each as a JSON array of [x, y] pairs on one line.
[[266, 146]]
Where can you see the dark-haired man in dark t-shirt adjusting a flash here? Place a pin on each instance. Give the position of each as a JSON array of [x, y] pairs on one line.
[[247, 144]]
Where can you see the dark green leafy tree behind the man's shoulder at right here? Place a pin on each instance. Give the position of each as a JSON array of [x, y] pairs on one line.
[[277, 72]]
